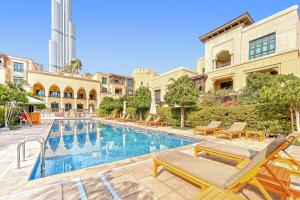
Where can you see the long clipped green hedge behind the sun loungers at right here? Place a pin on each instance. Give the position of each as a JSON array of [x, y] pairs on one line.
[[271, 118]]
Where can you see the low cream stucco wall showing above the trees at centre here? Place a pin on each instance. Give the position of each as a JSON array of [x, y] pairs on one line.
[[162, 81]]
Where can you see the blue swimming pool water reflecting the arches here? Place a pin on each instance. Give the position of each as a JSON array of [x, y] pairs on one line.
[[74, 144]]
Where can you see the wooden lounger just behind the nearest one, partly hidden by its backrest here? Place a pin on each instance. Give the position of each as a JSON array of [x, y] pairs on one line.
[[243, 155]]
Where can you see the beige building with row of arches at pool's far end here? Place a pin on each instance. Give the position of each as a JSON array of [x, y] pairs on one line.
[[62, 90]]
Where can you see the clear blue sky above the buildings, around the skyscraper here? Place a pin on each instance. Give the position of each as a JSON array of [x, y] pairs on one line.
[[119, 35]]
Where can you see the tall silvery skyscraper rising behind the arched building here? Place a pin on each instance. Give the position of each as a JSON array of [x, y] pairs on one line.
[[62, 42]]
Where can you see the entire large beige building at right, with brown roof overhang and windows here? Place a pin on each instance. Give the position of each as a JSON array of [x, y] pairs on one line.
[[242, 46]]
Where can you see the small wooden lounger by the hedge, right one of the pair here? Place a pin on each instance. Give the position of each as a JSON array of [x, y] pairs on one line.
[[236, 129]]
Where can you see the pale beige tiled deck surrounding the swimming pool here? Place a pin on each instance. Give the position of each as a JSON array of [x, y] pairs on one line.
[[127, 179]]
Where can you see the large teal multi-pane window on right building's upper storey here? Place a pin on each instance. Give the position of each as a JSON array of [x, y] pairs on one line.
[[262, 46]]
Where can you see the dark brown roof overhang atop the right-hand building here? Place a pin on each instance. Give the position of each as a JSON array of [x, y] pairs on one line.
[[245, 19]]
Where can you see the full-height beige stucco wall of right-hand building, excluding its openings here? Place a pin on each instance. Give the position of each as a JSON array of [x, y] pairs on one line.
[[285, 24]]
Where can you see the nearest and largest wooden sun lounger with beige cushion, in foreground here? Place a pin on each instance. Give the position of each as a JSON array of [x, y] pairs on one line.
[[206, 173]]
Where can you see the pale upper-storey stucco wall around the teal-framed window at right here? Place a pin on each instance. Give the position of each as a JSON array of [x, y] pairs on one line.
[[285, 24]]
